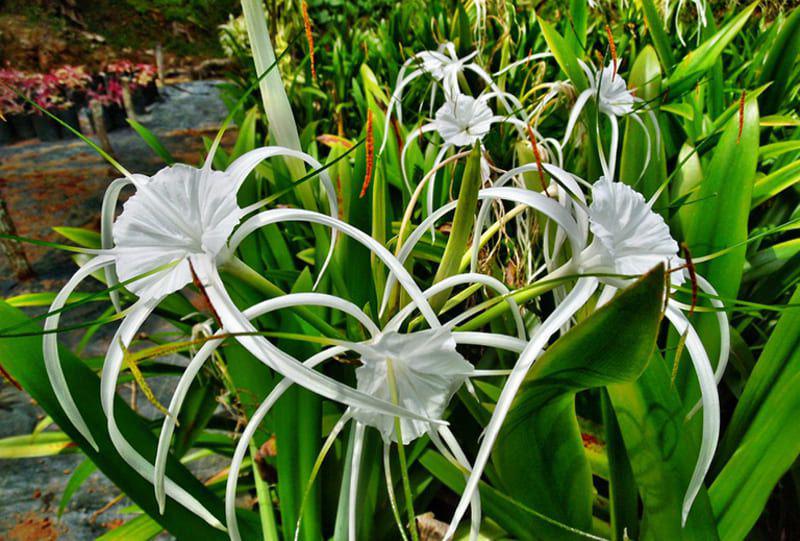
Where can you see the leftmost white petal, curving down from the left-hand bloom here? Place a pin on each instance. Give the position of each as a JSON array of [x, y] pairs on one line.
[[52, 361]]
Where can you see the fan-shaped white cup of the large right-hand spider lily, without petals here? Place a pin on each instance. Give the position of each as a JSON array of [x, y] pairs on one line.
[[630, 239]]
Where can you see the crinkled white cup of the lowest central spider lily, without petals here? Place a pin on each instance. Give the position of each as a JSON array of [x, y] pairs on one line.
[[424, 367]]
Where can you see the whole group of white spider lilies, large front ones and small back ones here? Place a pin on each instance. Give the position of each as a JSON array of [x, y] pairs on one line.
[[184, 223]]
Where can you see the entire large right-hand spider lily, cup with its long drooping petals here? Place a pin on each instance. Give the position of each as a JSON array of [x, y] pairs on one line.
[[627, 238]]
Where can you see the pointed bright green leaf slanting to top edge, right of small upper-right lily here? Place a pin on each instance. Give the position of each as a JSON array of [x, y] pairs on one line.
[[698, 62]]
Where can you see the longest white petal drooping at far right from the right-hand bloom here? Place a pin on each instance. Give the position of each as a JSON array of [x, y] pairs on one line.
[[710, 399]]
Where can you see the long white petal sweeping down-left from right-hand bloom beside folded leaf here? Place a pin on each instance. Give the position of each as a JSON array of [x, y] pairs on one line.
[[581, 293]]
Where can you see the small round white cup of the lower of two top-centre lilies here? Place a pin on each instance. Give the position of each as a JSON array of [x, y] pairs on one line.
[[463, 120]]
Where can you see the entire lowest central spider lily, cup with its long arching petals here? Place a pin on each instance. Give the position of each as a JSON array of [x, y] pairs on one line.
[[425, 368]]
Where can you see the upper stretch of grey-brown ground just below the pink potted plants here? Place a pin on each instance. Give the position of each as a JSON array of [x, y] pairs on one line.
[[62, 183]]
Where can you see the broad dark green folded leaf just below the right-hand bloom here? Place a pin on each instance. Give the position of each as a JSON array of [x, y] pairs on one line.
[[539, 456]]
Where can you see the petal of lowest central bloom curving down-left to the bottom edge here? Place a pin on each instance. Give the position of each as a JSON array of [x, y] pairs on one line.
[[250, 430]]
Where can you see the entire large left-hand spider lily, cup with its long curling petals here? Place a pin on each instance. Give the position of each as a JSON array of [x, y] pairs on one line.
[[178, 222]]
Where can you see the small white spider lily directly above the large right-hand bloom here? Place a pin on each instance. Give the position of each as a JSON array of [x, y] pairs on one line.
[[614, 100]]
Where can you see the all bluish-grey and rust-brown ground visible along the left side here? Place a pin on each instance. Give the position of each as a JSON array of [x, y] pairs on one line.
[[52, 184]]
